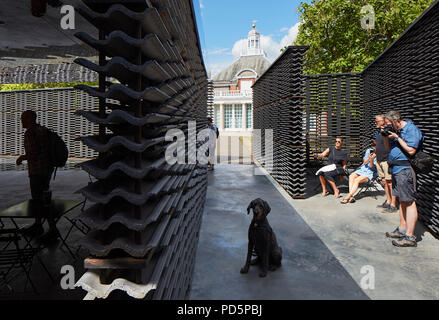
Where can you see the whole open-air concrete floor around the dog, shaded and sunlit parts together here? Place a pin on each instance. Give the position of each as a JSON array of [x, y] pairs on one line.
[[325, 246]]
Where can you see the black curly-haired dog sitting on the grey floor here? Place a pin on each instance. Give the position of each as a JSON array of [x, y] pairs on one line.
[[262, 241]]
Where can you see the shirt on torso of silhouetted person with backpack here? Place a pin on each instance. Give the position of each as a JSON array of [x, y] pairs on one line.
[[36, 146]]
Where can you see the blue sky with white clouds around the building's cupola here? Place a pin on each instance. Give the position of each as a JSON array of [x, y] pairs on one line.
[[224, 24]]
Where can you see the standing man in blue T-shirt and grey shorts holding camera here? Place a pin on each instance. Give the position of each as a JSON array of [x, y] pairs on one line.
[[402, 140]]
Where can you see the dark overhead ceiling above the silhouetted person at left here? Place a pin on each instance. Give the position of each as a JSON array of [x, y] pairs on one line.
[[26, 40]]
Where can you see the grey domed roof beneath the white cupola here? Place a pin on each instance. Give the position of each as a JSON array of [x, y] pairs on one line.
[[259, 64]]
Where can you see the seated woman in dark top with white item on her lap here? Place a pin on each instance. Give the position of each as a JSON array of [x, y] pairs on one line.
[[337, 159]]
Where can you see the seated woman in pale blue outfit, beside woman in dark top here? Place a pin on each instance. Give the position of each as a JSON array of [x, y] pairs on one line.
[[366, 172]]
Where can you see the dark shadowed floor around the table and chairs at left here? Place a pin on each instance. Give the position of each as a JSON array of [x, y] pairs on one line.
[[15, 189]]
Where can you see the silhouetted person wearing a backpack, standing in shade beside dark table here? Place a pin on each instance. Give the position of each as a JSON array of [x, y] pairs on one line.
[[36, 146]]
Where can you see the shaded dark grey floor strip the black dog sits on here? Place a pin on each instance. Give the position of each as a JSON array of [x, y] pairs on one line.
[[309, 270]]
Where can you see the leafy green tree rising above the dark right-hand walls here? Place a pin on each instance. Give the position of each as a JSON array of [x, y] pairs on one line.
[[338, 43]]
